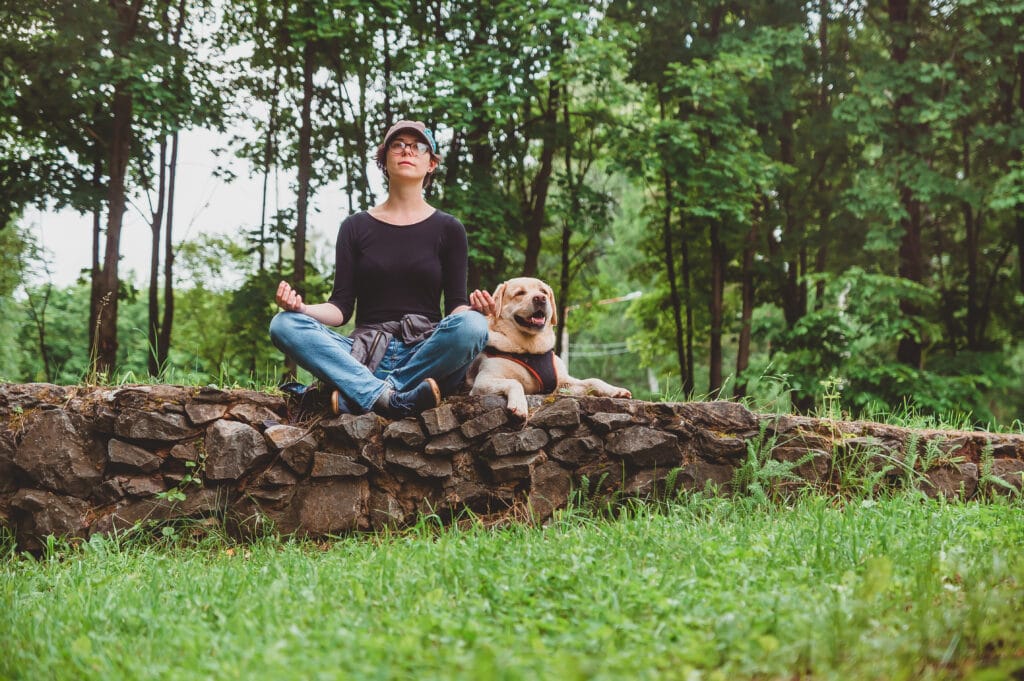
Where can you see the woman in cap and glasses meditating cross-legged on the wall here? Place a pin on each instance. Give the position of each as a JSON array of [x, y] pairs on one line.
[[395, 264]]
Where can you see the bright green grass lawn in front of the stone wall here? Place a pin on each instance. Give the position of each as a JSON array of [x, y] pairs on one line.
[[704, 588]]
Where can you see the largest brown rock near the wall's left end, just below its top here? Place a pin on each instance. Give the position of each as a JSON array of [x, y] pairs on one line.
[[55, 456]]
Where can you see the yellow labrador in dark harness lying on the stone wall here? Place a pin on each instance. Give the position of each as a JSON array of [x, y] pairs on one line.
[[520, 359]]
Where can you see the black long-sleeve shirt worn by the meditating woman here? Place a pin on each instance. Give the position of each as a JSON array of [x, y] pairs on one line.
[[392, 271]]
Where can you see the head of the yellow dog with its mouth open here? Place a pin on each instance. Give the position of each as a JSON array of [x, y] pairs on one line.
[[526, 314]]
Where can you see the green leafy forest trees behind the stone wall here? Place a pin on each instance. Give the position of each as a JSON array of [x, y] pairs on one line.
[[800, 202]]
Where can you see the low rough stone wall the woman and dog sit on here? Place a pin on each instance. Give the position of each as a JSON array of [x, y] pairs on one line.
[[75, 461]]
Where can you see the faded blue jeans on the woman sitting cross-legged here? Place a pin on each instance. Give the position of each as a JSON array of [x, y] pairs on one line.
[[445, 357]]
